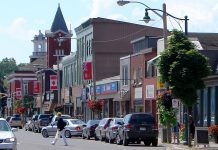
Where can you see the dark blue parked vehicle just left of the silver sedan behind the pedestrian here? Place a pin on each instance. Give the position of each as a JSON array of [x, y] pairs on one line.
[[40, 122]]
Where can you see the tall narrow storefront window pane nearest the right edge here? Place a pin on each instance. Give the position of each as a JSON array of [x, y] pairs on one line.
[[212, 105]]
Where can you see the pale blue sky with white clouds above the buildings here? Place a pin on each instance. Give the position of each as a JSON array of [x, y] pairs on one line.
[[21, 20]]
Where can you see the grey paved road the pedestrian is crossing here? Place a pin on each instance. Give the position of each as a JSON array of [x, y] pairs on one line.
[[34, 141]]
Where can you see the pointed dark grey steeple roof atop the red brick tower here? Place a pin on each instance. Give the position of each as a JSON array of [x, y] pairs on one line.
[[59, 22]]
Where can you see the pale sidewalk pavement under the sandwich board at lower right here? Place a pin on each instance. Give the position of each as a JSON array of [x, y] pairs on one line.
[[181, 146]]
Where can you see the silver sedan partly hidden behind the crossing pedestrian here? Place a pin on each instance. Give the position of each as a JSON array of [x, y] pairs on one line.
[[73, 128]]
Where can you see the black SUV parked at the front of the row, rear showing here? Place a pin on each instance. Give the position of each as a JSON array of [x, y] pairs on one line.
[[138, 127]]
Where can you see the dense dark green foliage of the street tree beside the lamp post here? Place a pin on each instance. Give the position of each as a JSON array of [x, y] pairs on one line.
[[183, 68]]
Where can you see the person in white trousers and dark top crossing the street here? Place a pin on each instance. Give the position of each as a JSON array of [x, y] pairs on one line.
[[60, 130]]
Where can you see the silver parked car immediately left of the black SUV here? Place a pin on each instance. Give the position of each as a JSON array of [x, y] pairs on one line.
[[111, 130]]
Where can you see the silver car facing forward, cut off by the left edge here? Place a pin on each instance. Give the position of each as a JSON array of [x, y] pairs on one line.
[[7, 137]]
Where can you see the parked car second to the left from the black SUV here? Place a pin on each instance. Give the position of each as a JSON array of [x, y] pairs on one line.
[[101, 129]]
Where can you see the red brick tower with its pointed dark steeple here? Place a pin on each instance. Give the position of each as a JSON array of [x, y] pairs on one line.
[[58, 39]]
